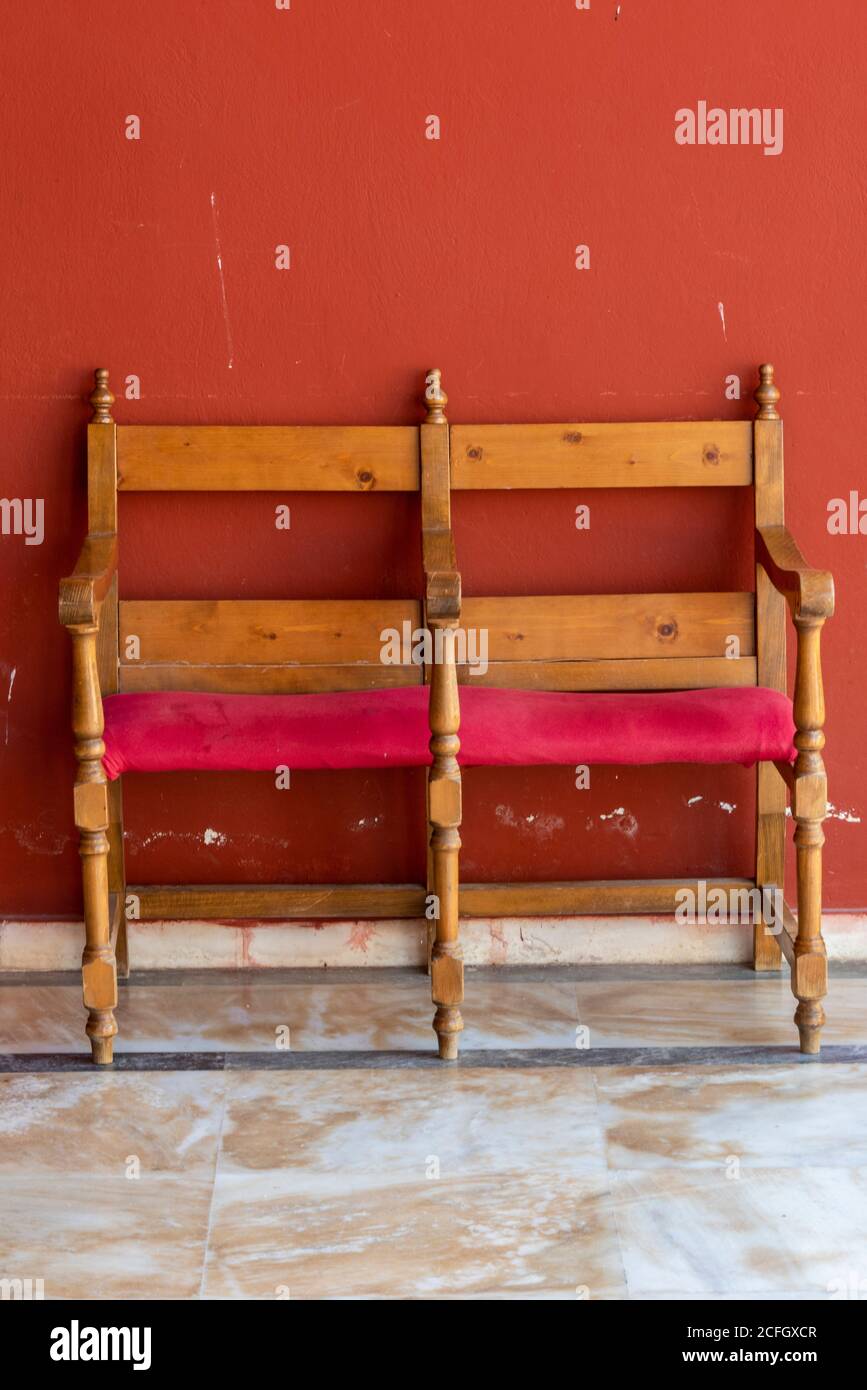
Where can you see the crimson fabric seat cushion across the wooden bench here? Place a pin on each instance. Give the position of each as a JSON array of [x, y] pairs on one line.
[[169, 732]]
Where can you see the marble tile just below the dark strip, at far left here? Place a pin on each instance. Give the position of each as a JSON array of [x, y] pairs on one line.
[[97, 1124]]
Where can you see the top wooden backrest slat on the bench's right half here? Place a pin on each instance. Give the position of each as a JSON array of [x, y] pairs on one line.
[[680, 454]]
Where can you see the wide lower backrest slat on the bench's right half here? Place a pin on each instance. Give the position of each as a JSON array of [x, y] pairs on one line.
[[612, 626]]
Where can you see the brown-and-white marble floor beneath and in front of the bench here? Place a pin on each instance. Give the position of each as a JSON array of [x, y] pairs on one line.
[[693, 1154]]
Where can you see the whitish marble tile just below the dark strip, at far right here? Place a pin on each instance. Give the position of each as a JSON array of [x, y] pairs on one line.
[[713, 1117]]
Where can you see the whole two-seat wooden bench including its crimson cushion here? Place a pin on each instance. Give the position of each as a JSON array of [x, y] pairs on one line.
[[177, 686]]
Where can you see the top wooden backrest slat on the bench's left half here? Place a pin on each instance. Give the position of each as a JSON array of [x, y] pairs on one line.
[[267, 458]]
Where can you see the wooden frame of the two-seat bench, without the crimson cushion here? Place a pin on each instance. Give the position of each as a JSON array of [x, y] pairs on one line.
[[434, 459]]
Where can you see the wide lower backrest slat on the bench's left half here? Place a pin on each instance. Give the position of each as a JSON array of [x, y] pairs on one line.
[[262, 632]]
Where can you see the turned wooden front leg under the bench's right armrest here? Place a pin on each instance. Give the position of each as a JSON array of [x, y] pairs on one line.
[[811, 801]]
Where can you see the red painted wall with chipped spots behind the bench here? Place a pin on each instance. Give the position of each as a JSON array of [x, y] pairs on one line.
[[306, 127]]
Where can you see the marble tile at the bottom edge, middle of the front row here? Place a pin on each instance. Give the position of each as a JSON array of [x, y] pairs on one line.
[[505, 1236]]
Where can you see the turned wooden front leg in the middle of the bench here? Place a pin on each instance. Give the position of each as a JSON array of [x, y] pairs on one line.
[[445, 803]]
